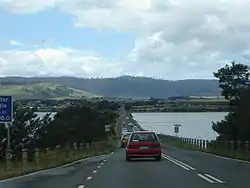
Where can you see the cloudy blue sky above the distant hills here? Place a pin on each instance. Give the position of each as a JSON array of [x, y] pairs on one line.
[[166, 39]]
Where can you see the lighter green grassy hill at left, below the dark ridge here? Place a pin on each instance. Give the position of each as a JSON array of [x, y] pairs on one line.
[[41, 91]]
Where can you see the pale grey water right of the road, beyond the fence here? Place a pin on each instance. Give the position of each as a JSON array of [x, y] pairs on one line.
[[193, 125]]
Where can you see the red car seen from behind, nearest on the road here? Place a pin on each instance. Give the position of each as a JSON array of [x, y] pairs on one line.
[[143, 144]]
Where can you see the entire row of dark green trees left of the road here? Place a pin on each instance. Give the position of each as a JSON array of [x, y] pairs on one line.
[[82, 123]]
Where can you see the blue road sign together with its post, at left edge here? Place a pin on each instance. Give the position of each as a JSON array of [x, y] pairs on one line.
[[6, 116]]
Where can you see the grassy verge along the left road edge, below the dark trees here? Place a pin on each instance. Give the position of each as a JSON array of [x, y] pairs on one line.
[[54, 158]]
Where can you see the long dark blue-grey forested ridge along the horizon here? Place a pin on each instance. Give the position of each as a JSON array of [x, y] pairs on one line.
[[128, 86]]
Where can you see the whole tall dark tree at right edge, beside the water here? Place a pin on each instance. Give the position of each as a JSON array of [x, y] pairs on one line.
[[233, 80]]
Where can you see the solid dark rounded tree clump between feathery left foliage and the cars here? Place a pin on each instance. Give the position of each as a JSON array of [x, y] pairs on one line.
[[78, 124]]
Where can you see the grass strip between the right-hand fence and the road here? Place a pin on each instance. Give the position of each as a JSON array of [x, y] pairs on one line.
[[213, 149]]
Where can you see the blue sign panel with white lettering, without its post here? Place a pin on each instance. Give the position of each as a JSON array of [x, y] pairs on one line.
[[6, 109]]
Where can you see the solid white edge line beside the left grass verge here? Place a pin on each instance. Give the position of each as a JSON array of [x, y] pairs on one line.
[[47, 170]]
